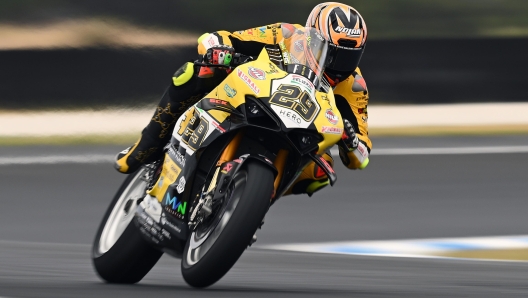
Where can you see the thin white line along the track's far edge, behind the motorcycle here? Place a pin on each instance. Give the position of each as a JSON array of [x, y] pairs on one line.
[[104, 158]]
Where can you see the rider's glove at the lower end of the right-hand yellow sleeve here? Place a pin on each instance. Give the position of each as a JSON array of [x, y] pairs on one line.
[[352, 152]]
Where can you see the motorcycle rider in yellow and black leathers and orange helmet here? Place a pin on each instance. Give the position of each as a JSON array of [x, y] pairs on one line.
[[345, 30]]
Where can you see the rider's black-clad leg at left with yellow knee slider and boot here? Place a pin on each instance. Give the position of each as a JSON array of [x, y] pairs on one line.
[[183, 92]]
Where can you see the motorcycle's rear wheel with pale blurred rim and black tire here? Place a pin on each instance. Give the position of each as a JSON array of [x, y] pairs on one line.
[[119, 254]]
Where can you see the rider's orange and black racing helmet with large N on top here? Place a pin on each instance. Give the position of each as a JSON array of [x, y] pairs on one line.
[[346, 32]]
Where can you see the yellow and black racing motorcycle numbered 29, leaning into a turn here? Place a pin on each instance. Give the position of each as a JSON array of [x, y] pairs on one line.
[[231, 156]]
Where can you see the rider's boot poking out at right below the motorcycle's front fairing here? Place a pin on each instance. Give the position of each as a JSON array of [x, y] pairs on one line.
[[312, 179]]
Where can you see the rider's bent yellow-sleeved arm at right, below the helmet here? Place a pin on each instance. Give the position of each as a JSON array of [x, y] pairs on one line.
[[352, 97]]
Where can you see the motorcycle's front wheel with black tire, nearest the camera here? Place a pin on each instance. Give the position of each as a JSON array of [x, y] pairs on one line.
[[216, 244]]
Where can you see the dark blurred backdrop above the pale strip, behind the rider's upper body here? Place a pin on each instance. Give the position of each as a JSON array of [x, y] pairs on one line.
[[98, 53]]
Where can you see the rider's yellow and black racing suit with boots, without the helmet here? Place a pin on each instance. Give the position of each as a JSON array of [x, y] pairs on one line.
[[188, 86]]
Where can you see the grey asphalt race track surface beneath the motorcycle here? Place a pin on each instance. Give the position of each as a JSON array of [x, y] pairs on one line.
[[50, 213]]
